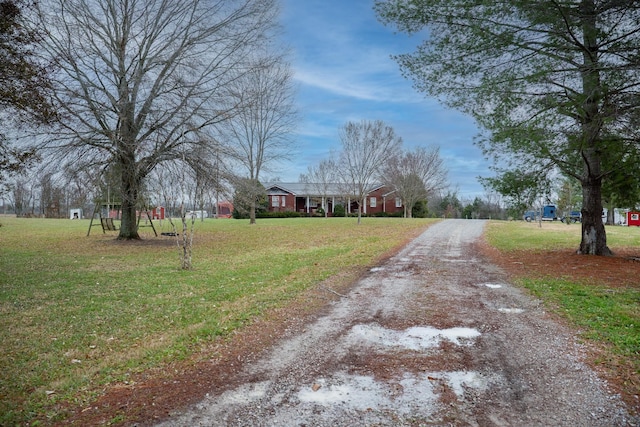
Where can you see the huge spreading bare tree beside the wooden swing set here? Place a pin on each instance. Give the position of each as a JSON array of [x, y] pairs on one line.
[[139, 81]]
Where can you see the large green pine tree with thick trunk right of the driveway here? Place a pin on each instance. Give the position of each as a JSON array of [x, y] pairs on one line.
[[554, 84]]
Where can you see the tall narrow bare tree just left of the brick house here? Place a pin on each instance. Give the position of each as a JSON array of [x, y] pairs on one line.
[[259, 134]]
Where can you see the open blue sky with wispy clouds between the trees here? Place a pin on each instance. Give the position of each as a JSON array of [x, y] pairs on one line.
[[340, 55]]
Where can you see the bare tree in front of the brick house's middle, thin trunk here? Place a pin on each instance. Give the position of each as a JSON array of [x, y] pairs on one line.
[[366, 147]]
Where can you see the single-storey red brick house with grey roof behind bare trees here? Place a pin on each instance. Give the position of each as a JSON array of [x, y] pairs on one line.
[[308, 198]]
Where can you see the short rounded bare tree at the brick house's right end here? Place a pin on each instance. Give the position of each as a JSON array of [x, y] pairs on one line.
[[415, 175]]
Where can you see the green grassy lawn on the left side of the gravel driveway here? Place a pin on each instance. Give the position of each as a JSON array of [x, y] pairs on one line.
[[77, 312]]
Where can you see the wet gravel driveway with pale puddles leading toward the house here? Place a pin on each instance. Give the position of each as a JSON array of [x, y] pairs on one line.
[[434, 336]]
